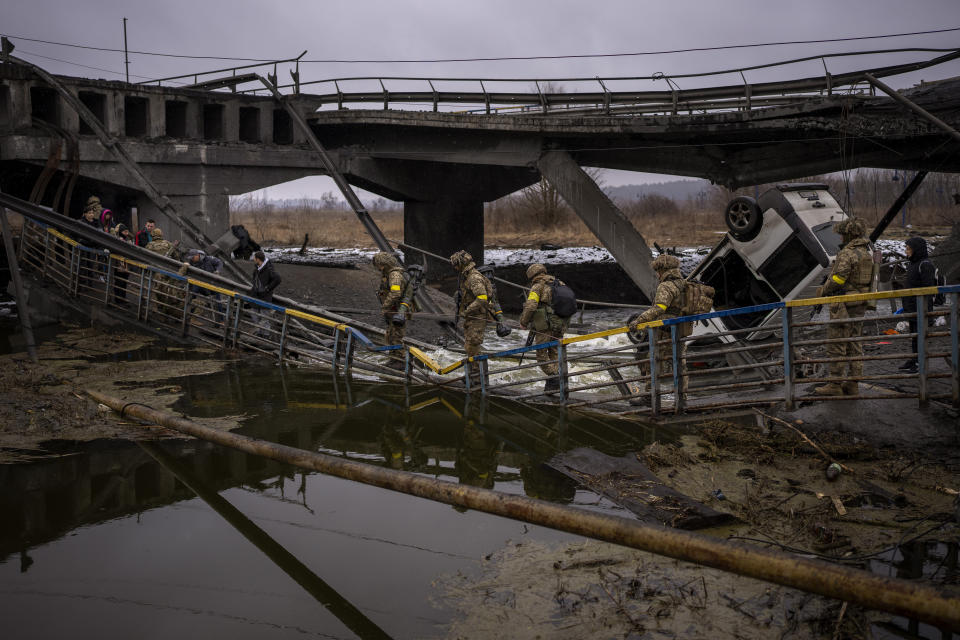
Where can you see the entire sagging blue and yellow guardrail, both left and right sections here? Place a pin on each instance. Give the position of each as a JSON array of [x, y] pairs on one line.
[[691, 376]]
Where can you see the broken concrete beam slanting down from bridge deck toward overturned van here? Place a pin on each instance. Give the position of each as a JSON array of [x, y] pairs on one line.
[[601, 216]]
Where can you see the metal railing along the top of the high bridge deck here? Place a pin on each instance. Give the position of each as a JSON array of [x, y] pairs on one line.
[[610, 95]]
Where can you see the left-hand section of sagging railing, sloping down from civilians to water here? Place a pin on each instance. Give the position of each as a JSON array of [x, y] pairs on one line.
[[188, 307]]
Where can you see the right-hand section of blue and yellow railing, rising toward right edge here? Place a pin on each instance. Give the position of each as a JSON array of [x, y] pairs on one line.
[[668, 370]]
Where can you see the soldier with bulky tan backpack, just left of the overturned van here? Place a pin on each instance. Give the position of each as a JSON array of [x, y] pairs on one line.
[[667, 303]]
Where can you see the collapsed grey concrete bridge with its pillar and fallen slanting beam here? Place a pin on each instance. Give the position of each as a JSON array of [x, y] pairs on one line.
[[193, 147]]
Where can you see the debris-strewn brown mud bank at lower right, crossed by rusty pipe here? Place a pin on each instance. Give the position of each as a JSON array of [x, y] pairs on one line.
[[891, 511]]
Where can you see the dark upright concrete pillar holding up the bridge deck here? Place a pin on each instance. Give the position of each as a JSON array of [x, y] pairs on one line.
[[444, 227]]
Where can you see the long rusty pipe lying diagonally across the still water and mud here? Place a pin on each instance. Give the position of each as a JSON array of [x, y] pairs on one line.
[[901, 597]]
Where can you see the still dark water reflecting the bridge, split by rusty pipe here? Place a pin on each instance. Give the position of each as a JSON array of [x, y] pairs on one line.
[[186, 538]]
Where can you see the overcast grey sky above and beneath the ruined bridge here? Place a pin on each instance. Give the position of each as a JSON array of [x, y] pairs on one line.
[[430, 29]]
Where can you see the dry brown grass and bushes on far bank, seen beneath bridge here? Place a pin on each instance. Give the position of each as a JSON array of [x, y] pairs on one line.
[[537, 215]]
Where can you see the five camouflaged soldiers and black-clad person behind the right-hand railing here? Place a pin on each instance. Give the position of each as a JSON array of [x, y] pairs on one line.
[[852, 273]]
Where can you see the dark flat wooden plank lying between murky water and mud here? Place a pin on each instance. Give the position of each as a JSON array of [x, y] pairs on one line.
[[630, 483]]
